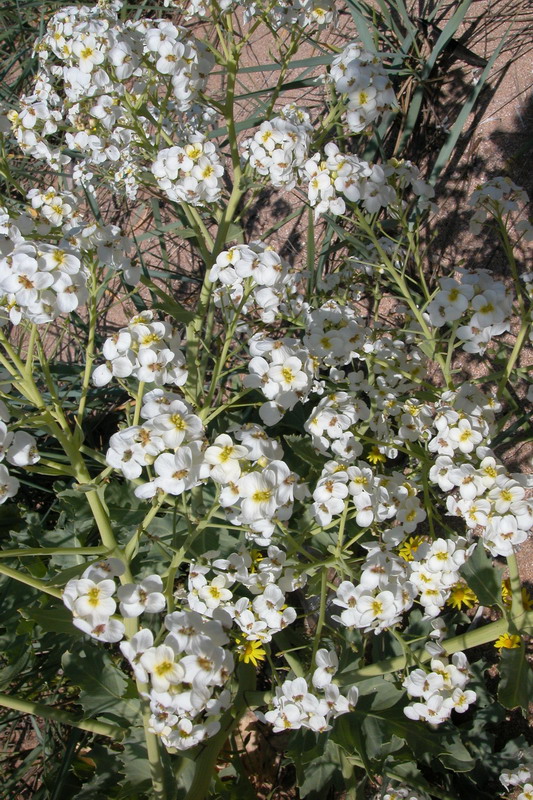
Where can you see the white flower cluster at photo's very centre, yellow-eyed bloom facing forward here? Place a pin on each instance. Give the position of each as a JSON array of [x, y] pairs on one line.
[[283, 370]]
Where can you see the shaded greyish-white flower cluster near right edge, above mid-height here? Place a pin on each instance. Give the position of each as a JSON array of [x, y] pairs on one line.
[[484, 304]]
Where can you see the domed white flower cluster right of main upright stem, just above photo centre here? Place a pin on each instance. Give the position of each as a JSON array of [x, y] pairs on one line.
[[252, 275]]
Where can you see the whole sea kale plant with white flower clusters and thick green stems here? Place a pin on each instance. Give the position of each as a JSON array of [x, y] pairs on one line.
[[268, 489]]
